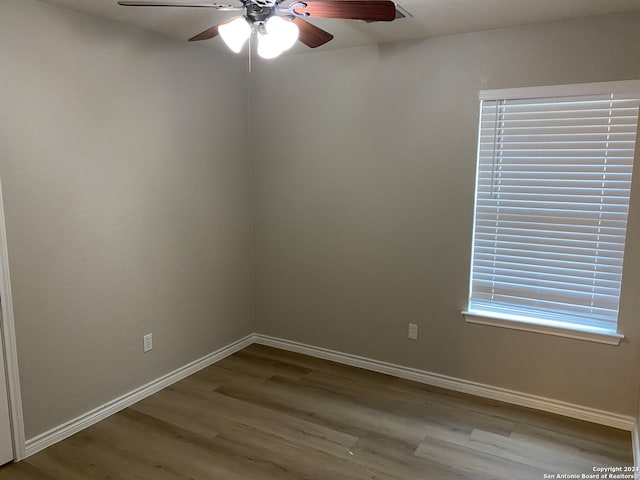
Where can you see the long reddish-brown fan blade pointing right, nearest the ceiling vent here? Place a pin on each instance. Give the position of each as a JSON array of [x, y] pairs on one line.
[[372, 10]]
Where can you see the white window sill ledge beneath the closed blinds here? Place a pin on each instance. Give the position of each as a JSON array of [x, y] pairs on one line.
[[577, 332]]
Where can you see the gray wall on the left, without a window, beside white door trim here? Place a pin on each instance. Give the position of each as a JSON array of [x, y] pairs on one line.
[[126, 186]]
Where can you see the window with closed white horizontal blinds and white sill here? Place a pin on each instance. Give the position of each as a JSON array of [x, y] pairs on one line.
[[552, 196]]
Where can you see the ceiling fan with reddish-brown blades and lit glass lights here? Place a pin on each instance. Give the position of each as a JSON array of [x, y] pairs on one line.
[[279, 26]]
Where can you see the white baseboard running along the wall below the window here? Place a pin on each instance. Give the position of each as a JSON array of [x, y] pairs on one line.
[[459, 385]]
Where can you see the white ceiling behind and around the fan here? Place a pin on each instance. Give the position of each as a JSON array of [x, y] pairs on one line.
[[430, 18]]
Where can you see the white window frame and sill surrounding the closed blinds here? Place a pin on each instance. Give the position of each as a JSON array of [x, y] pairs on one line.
[[515, 322]]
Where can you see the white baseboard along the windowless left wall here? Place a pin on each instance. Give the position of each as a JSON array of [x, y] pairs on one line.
[[67, 429]]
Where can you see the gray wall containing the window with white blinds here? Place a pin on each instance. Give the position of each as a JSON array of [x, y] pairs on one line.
[[364, 176]]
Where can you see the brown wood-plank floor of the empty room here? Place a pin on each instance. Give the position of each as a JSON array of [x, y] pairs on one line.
[[267, 414]]
